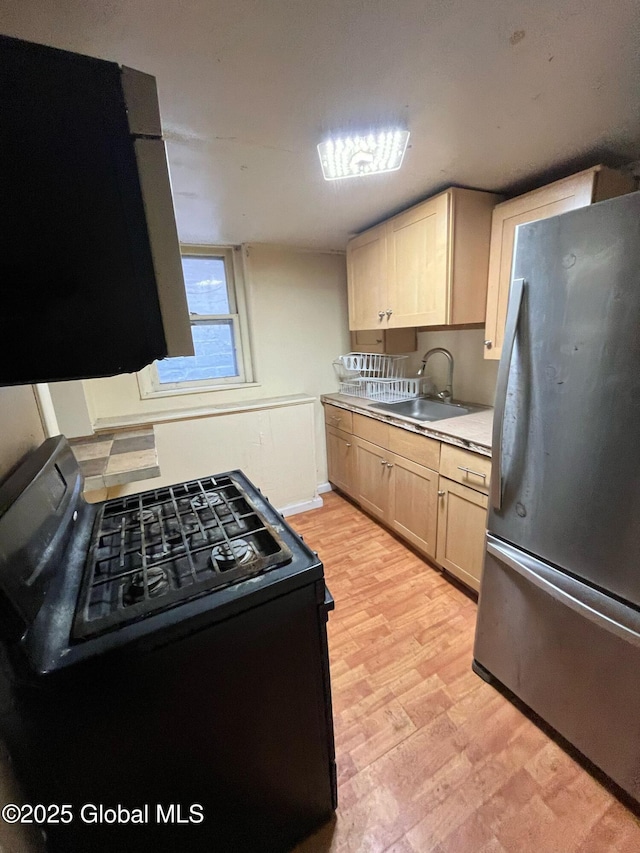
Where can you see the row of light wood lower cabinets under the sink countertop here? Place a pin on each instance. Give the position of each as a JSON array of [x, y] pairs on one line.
[[443, 519]]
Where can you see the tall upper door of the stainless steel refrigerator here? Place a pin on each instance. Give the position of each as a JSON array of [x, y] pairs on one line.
[[568, 443]]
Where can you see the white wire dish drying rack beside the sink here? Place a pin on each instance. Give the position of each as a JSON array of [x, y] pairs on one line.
[[375, 377]]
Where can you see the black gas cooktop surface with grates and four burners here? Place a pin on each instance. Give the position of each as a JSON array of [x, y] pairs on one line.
[[156, 549]]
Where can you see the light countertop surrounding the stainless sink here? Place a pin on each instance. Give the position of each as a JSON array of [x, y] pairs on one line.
[[470, 431]]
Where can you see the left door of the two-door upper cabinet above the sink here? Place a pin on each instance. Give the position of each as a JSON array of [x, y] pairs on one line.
[[366, 277]]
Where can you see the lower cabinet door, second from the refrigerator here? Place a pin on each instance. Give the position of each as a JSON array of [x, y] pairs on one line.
[[413, 503]]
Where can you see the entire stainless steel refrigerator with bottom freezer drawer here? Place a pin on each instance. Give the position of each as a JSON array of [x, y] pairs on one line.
[[559, 608]]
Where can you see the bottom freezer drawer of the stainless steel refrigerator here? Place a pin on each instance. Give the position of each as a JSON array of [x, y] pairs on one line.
[[534, 624]]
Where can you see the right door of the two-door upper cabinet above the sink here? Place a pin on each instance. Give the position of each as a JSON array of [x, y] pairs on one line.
[[418, 248]]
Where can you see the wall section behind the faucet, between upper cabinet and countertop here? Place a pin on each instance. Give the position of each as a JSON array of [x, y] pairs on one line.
[[474, 378]]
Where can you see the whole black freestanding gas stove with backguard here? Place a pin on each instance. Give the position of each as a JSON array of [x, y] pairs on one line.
[[194, 602]]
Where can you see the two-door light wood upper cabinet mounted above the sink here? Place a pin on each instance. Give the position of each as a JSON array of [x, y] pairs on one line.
[[426, 266]]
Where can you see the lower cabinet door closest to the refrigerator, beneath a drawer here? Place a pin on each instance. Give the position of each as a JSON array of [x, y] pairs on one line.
[[462, 522]]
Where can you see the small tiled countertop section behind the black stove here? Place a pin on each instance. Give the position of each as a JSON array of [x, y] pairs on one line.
[[114, 458]]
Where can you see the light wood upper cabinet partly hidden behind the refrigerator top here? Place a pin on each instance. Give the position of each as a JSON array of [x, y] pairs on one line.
[[588, 187]]
